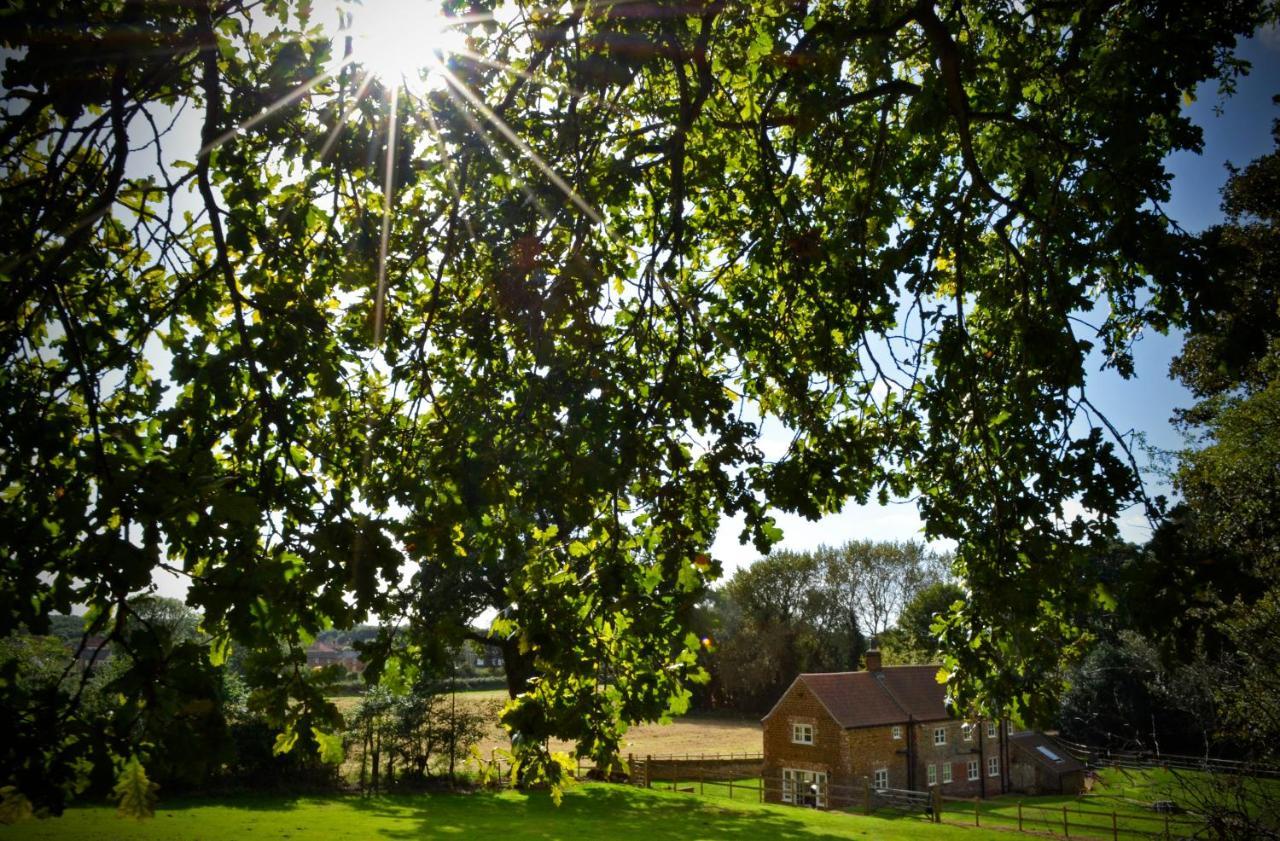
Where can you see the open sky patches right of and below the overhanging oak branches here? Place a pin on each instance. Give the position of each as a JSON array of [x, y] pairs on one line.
[[1144, 404]]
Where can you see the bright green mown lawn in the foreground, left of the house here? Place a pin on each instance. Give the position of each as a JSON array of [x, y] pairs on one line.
[[595, 811]]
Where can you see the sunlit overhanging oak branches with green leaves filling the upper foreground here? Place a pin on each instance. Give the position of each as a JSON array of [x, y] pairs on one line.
[[508, 340]]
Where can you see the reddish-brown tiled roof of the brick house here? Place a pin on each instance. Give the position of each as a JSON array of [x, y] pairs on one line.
[[889, 697]]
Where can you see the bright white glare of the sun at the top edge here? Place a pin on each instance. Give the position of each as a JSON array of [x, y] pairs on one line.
[[401, 42]]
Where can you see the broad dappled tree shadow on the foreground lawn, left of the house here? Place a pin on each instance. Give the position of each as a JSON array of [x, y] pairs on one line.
[[587, 812]]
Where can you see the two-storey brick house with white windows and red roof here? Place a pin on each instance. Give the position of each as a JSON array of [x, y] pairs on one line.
[[831, 735]]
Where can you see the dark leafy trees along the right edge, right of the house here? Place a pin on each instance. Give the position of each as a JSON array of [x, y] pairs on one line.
[[1187, 656]]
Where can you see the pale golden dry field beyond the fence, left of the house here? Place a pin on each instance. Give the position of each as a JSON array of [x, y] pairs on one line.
[[693, 734]]
